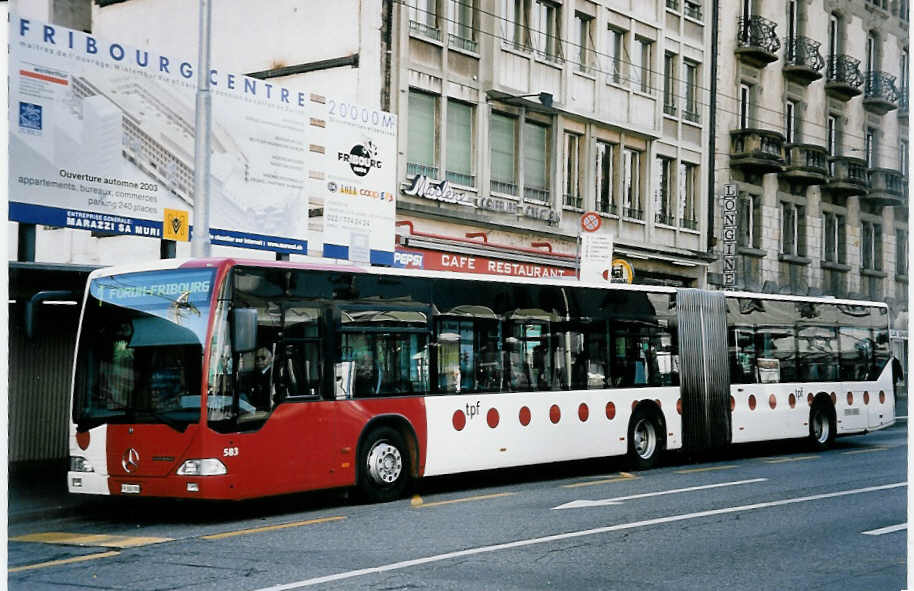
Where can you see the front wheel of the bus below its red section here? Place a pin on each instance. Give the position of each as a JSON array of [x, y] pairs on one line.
[[384, 465]]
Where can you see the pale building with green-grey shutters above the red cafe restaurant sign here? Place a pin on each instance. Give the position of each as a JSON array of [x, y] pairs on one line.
[[520, 115]]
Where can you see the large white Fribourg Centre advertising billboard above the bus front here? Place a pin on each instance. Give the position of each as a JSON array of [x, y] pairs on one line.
[[102, 139]]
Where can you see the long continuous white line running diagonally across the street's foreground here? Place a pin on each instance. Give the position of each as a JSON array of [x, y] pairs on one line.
[[558, 537]]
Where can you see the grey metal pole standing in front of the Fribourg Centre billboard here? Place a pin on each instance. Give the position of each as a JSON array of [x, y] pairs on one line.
[[200, 244]]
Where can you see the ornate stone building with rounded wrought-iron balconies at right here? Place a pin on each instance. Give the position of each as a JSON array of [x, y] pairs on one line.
[[812, 134]]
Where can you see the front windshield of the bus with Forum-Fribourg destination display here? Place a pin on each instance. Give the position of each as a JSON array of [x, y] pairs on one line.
[[140, 350]]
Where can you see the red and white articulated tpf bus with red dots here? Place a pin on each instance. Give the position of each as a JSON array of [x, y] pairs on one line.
[[231, 379]]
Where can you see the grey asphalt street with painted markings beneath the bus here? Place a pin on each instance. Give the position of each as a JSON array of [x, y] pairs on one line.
[[773, 516]]
